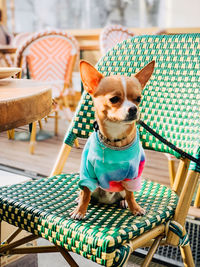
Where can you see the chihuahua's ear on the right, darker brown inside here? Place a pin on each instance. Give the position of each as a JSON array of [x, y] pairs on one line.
[[144, 74]]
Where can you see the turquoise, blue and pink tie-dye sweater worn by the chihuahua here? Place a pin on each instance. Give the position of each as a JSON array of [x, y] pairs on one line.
[[111, 168]]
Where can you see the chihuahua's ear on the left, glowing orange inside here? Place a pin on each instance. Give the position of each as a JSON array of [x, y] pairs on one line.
[[90, 77]]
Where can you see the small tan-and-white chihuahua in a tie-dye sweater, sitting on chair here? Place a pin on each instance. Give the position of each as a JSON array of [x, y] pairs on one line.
[[113, 158]]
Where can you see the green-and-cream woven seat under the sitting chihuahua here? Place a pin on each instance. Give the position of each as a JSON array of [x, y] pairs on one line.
[[43, 206]]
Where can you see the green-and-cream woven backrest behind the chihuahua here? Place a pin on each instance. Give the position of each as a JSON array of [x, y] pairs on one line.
[[171, 99]]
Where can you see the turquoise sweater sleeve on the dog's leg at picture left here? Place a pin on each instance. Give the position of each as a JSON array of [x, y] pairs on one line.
[[87, 174]]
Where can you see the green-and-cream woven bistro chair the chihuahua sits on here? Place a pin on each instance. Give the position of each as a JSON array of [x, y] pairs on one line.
[[109, 234]]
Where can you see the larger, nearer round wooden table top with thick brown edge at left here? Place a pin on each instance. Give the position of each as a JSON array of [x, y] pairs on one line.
[[22, 102]]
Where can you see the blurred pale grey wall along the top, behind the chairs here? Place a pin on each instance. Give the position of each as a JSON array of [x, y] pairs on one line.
[[32, 15]]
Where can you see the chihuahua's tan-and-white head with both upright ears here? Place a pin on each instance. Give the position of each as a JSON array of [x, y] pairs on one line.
[[116, 98]]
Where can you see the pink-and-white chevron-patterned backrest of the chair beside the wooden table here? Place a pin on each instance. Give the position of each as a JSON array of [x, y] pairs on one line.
[[50, 56]]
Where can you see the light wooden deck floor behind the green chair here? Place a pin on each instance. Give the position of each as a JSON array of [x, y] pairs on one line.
[[16, 154]]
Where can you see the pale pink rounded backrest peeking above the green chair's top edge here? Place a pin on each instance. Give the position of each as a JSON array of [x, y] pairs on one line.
[[112, 35]]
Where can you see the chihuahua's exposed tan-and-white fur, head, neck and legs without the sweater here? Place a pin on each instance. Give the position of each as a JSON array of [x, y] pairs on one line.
[[116, 100]]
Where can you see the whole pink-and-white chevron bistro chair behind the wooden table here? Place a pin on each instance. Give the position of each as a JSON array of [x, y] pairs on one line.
[[49, 56]]
